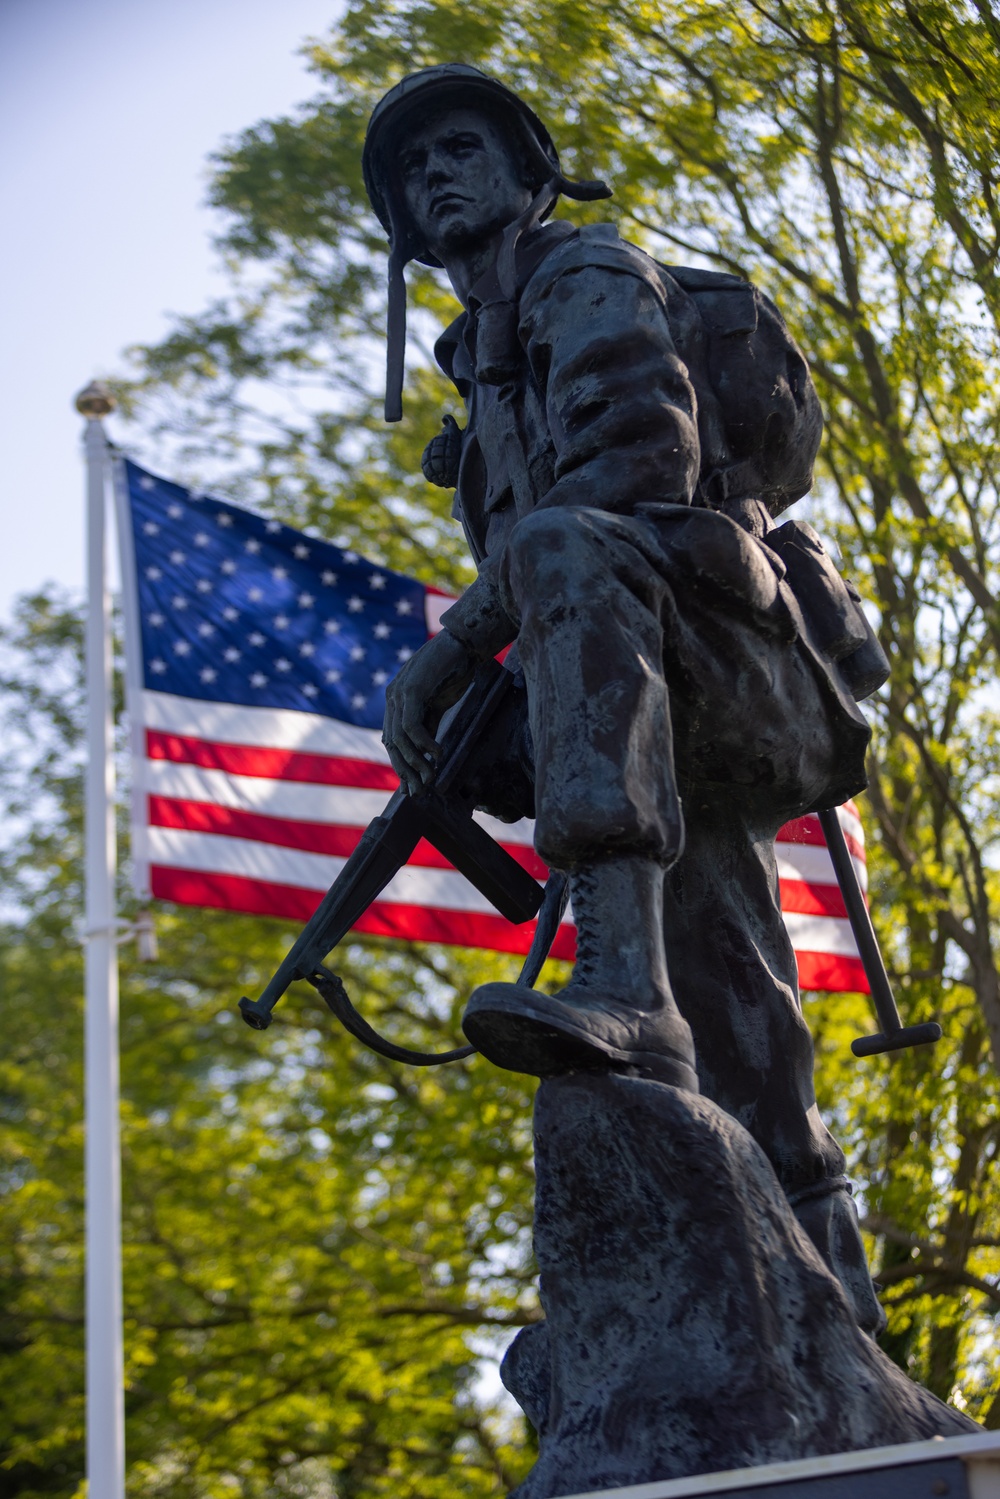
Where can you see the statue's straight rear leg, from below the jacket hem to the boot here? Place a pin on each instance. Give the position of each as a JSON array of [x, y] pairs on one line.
[[734, 974]]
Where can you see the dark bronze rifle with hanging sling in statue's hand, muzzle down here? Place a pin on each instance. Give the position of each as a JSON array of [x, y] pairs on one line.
[[443, 815]]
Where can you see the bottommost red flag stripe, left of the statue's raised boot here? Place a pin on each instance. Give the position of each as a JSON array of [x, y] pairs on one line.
[[233, 893]]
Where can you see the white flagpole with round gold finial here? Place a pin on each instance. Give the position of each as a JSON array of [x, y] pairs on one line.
[[106, 1366]]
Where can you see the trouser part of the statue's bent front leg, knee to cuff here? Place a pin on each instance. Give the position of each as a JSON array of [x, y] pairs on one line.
[[590, 605]]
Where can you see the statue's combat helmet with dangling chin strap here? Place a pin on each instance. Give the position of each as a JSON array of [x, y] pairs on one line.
[[448, 85]]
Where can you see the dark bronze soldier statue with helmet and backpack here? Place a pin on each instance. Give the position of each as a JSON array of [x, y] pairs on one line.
[[690, 669]]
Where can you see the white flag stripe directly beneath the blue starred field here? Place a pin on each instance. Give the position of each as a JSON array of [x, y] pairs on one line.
[[263, 728]]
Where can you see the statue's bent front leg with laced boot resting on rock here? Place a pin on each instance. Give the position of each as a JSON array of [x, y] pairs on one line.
[[588, 599]]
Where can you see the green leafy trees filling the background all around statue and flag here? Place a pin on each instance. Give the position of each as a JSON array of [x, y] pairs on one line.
[[839, 152]]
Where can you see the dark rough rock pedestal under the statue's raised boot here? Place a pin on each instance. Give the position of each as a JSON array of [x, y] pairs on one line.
[[690, 1324]]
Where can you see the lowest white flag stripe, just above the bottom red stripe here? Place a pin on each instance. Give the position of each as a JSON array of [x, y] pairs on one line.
[[214, 854]]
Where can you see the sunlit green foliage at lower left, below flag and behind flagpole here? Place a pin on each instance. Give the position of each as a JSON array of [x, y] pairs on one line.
[[311, 1236]]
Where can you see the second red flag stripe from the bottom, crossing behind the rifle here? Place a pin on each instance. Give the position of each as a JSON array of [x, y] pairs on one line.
[[287, 833]]
